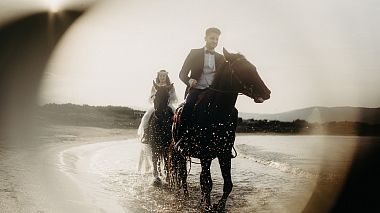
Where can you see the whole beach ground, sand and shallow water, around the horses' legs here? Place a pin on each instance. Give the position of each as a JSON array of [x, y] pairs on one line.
[[87, 169]]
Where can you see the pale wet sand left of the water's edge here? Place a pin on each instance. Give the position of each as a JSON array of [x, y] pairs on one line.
[[38, 177]]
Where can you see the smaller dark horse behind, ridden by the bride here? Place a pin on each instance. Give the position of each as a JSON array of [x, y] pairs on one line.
[[159, 129]]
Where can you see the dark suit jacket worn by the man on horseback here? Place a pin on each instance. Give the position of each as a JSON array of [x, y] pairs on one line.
[[194, 64]]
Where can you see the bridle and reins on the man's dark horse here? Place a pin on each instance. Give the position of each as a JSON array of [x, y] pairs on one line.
[[233, 75]]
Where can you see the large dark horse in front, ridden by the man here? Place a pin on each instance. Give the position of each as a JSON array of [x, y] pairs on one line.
[[212, 132]]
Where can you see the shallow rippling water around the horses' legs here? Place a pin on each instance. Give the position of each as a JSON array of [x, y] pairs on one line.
[[270, 174]]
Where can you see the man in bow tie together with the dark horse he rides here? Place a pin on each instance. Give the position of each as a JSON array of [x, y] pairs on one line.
[[204, 127]]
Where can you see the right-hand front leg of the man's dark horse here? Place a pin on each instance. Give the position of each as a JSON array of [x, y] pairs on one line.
[[225, 167]]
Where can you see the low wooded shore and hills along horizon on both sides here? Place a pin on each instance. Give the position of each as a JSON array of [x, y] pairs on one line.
[[331, 121]]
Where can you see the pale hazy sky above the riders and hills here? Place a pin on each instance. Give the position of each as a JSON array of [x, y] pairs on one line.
[[309, 53]]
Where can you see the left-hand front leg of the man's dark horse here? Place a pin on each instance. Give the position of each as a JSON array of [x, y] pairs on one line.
[[206, 183]]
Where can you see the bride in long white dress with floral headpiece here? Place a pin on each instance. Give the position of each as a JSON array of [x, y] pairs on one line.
[[162, 79]]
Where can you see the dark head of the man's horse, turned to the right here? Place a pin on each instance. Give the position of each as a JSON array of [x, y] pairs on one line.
[[245, 77]]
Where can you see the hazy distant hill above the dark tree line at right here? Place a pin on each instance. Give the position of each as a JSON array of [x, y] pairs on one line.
[[322, 115]]
